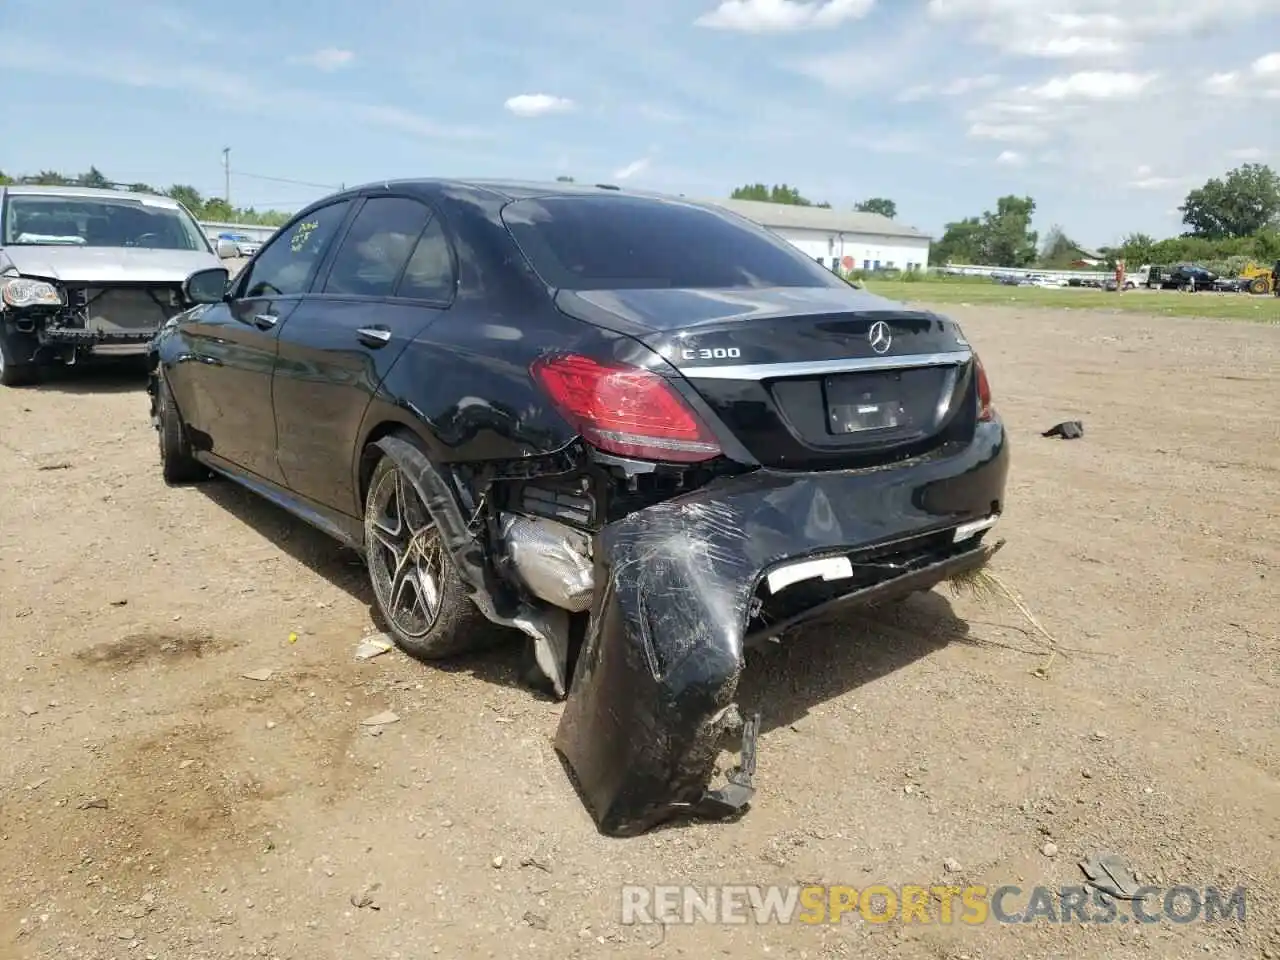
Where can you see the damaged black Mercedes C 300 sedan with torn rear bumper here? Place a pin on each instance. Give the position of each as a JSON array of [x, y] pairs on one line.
[[643, 432]]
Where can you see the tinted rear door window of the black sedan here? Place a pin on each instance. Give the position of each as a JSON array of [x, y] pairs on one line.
[[380, 244]]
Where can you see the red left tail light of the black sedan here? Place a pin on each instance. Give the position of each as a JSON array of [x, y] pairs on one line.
[[625, 410]]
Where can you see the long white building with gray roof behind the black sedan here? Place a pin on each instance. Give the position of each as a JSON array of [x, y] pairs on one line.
[[854, 240]]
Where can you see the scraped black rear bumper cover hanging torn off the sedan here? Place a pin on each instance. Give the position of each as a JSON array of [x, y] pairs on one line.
[[655, 685]]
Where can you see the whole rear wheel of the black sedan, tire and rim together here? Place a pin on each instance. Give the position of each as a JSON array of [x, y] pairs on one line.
[[455, 625]]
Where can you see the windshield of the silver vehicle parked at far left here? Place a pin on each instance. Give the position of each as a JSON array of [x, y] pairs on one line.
[[53, 220]]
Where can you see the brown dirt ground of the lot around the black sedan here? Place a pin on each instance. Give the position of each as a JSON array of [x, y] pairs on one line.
[[156, 803]]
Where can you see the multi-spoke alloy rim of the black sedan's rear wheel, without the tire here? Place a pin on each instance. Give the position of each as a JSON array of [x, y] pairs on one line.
[[405, 555]]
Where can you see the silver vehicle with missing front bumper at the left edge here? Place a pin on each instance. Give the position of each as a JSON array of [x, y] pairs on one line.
[[90, 272]]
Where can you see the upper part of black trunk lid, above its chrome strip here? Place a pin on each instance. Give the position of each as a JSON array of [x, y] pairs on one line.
[[693, 328]]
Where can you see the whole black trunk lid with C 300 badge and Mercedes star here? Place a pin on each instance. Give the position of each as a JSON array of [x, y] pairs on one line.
[[807, 378]]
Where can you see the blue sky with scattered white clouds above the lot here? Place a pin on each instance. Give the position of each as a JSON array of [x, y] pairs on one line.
[[1105, 113]]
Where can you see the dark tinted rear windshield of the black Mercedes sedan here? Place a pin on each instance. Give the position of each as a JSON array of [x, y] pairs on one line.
[[588, 244]]
